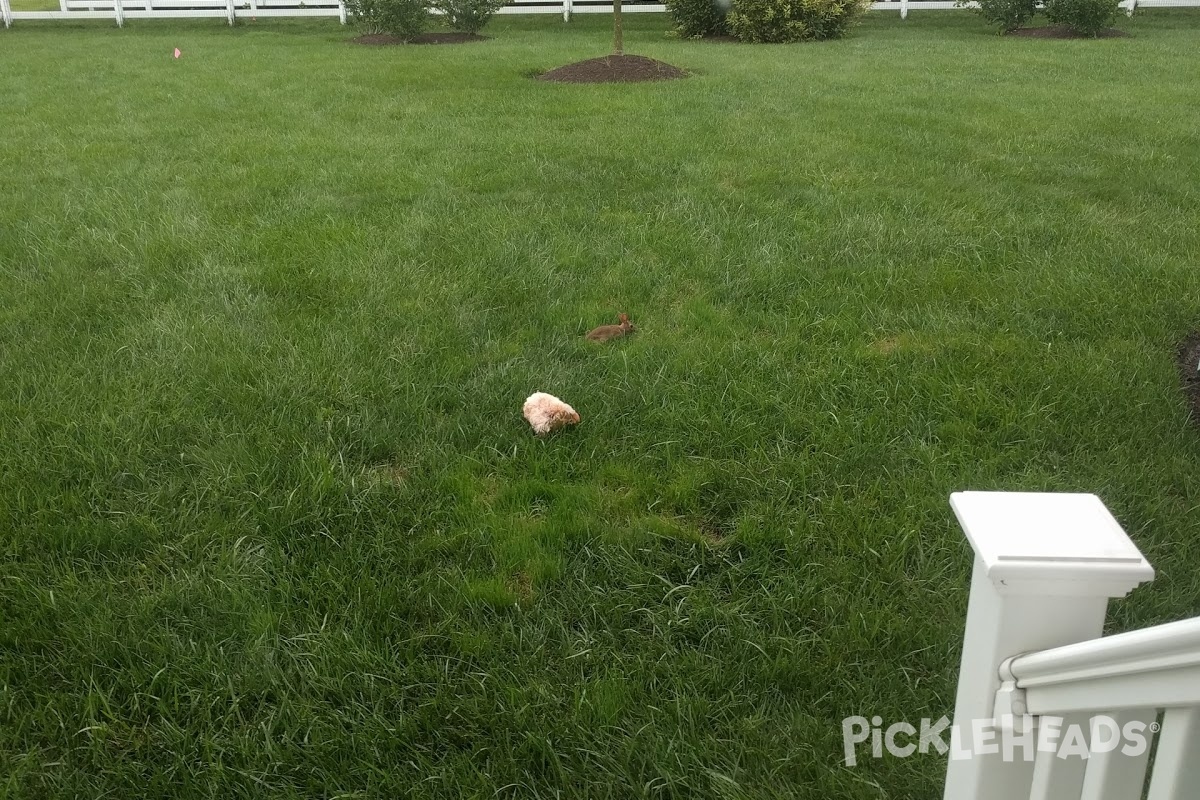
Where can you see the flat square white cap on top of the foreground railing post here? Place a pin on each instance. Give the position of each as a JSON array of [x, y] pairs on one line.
[[1051, 544]]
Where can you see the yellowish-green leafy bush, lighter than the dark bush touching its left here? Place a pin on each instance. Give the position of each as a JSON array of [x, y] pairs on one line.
[[793, 21]]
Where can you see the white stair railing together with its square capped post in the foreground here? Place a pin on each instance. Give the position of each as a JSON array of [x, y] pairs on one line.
[[1036, 666]]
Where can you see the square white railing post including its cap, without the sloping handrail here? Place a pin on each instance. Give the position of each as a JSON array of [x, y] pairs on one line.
[[1045, 570]]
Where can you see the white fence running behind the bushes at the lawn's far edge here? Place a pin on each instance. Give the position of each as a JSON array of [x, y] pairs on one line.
[[231, 10]]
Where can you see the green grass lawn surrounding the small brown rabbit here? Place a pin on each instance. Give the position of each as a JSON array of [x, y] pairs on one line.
[[273, 524]]
